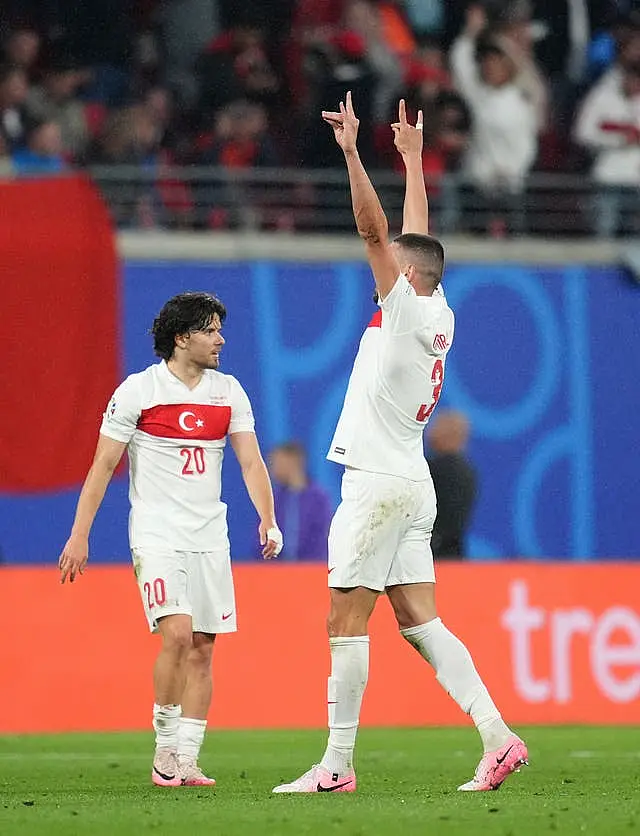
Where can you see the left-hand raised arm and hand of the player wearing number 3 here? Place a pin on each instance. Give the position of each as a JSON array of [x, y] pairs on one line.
[[368, 213]]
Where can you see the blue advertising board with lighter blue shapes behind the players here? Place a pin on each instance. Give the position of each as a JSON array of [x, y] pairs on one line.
[[545, 362]]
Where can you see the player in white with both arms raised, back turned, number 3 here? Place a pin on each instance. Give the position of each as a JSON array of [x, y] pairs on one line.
[[380, 535]]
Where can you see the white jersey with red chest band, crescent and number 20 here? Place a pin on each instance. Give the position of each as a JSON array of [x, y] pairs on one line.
[[176, 438]]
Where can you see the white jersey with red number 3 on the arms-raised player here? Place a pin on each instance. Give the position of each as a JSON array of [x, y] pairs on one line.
[[395, 385]]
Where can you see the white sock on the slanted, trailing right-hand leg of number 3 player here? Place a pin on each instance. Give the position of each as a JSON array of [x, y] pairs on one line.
[[456, 673]]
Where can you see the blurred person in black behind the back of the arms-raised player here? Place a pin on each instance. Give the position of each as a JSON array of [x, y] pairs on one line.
[[454, 480]]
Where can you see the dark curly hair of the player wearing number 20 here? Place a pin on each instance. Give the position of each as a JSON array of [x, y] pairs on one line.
[[184, 314]]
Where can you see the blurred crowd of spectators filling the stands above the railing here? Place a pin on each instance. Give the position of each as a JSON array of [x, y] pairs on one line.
[[508, 87]]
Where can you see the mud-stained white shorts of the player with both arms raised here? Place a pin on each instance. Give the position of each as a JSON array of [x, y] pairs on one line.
[[380, 535]]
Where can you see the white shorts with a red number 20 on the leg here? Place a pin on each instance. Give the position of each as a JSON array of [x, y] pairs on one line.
[[199, 584]]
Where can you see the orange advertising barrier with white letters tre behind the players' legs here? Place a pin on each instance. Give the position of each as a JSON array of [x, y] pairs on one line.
[[554, 643]]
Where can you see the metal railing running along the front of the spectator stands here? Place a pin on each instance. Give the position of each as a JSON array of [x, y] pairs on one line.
[[317, 201]]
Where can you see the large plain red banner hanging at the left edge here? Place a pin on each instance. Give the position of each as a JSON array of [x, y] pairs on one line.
[[61, 356]]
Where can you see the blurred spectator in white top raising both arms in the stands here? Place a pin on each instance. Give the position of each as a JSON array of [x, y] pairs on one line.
[[506, 120]]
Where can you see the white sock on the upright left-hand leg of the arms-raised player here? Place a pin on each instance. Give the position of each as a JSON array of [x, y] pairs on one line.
[[345, 687]]
